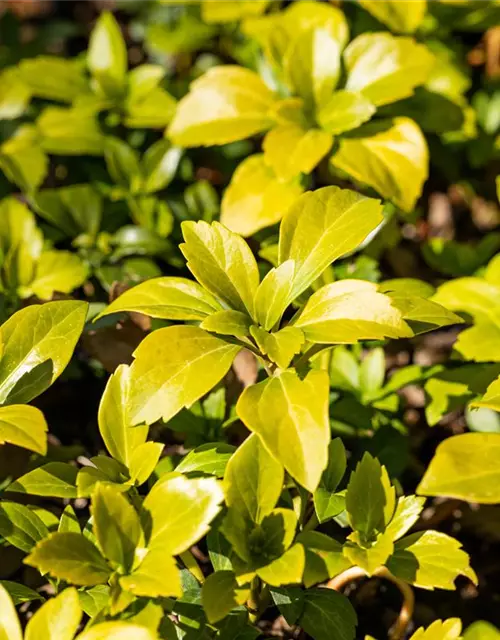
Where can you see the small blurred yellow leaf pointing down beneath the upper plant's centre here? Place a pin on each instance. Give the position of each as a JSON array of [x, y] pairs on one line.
[[291, 150]]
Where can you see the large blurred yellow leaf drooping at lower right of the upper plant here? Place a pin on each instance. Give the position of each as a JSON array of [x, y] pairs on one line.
[[389, 155]]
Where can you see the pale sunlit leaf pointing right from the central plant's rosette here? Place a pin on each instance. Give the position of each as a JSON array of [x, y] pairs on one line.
[[347, 311]]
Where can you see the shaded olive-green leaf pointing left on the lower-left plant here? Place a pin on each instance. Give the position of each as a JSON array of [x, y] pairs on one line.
[[71, 557]]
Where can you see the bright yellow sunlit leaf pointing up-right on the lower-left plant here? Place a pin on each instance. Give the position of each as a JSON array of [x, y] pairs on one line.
[[176, 524]]
